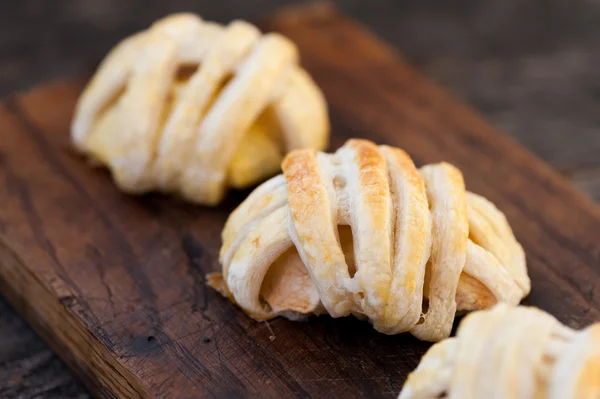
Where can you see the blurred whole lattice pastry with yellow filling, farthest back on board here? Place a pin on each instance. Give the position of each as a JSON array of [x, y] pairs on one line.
[[194, 107]]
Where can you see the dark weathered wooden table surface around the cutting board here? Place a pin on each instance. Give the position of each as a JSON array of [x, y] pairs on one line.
[[530, 68]]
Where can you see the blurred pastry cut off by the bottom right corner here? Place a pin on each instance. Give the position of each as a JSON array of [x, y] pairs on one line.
[[510, 352]]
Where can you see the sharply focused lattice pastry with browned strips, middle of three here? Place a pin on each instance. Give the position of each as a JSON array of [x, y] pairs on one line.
[[364, 232]]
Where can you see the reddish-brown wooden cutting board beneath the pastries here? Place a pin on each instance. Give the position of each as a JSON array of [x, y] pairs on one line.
[[116, 284]]
